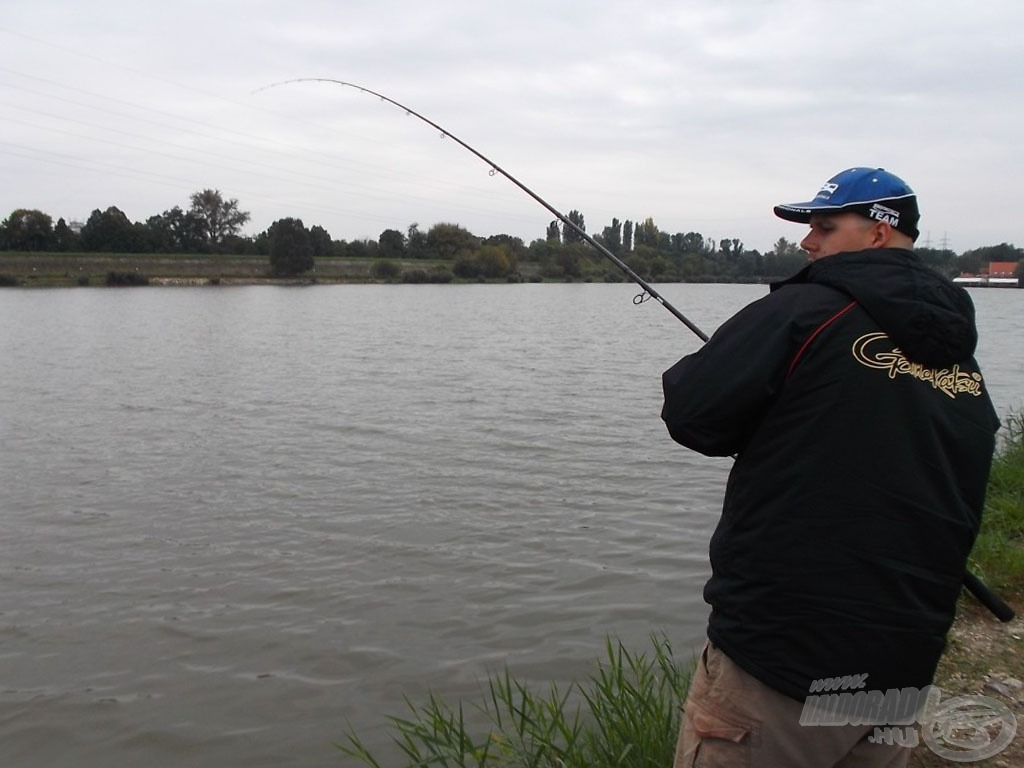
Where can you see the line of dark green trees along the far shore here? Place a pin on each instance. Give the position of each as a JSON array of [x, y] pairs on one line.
[[211, 225]]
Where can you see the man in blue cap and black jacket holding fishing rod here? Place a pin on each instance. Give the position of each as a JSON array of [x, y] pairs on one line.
[[864, 436]]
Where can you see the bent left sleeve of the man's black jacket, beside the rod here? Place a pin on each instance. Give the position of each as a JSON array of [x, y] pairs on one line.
[[715, 399]]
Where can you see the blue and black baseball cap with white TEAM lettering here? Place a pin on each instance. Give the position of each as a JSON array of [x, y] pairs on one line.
[[871, 192]]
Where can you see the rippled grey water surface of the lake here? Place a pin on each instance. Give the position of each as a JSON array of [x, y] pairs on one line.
[[238, 522]]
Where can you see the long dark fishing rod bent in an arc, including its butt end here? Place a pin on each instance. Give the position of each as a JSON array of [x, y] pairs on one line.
[[974, 585]]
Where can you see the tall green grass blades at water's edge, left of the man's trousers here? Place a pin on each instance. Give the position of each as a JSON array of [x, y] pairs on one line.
[[627, 715]]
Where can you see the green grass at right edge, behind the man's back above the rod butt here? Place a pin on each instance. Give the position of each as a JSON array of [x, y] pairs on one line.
[[999, 552]]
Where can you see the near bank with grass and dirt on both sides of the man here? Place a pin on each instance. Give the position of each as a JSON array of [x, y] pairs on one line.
[[627, 714]]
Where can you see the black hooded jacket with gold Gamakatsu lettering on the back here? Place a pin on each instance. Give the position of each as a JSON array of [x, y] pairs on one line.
[[864, 434]]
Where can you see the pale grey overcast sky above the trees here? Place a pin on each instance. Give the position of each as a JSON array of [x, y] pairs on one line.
[[700, 115]]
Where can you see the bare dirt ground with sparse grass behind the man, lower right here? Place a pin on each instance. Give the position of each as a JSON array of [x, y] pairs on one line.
[[985, 657]]
